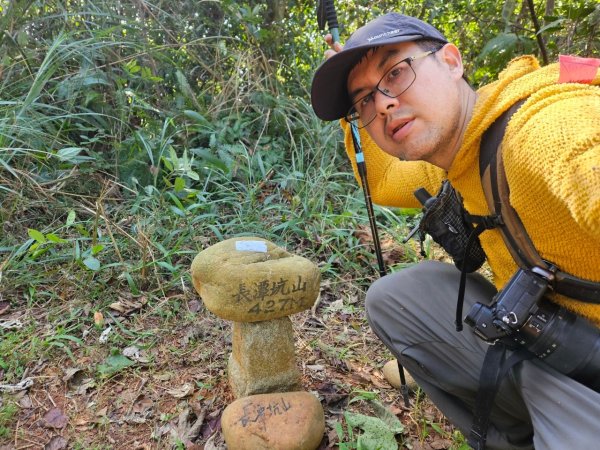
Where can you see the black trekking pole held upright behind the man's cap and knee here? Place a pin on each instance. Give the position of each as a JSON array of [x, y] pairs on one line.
[[326, 14]]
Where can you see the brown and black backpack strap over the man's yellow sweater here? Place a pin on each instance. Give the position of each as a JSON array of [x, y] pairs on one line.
[[514, 234]]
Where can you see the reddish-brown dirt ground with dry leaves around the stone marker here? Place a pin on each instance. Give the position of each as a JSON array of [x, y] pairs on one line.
[[174, 394]]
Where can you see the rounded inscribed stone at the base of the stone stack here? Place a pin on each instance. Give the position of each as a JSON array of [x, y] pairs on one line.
[[283, 421]]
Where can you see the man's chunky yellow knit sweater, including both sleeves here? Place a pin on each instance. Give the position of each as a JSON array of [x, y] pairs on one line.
[[551, 153]]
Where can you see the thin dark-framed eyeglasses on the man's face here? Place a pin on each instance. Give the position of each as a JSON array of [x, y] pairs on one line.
[[393, 83]]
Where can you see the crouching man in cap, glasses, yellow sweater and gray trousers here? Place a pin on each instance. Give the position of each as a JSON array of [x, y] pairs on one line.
[[421, 122]]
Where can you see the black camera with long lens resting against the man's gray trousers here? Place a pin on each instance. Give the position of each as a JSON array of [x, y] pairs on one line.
[[520, 315]]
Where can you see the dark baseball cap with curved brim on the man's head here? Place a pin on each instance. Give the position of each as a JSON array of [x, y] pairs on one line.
[[329, 93]]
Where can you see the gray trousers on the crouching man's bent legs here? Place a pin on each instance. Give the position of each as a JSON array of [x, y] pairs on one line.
[[413, 311]]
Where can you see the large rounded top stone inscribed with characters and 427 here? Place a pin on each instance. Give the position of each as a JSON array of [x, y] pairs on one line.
[[250, 279]]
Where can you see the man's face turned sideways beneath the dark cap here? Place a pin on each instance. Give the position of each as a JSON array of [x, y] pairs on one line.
[[426, 121]]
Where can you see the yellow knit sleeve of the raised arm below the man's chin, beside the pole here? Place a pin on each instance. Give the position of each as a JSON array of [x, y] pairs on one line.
[[391, 181]]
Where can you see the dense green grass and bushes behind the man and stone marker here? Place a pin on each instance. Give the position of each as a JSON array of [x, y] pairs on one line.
[[135, 133]]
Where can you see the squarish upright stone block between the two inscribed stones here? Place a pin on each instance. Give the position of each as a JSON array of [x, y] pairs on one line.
[[263, 358]]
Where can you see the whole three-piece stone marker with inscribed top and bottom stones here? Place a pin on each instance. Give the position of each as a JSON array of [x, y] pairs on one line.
[[257, 285]]
